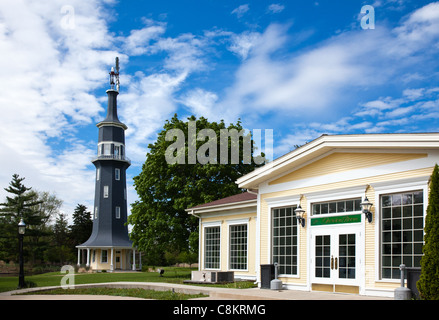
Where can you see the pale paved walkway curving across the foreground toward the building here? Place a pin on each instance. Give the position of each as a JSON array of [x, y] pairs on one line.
[[213, 292]]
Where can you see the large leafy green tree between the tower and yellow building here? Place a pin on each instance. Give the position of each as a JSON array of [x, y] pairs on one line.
[[160, 222]]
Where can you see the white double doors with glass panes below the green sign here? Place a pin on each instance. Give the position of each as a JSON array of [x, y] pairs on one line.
[[336, 256]]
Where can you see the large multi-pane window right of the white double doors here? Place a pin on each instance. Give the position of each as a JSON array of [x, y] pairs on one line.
[[402, 229]]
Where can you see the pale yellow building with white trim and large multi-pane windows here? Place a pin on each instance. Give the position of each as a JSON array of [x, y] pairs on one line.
[[336, 248]]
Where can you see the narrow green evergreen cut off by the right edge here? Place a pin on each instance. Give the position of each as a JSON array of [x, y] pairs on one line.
[[428, 284]]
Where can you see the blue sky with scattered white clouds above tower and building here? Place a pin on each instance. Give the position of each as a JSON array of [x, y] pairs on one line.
[[300, 68]]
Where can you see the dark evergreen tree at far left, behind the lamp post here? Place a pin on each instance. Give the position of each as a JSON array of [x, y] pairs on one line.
[[22, 204]]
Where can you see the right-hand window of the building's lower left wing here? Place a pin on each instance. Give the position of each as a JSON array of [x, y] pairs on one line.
[[238, 247]]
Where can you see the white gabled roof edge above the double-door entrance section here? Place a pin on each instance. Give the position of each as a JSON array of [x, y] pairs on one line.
[[326, 143]]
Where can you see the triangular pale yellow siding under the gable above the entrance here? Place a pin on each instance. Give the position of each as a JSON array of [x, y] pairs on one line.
[[338, 162]]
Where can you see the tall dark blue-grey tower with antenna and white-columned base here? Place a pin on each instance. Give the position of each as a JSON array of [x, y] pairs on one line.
[[109, 247]]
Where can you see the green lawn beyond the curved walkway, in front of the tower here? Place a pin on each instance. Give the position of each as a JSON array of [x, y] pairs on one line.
[[172, 275]]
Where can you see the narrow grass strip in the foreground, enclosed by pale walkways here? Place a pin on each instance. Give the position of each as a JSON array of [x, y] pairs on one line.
[[137, 293]]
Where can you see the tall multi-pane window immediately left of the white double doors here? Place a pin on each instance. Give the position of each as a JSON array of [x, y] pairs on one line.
[[285, 240]]
